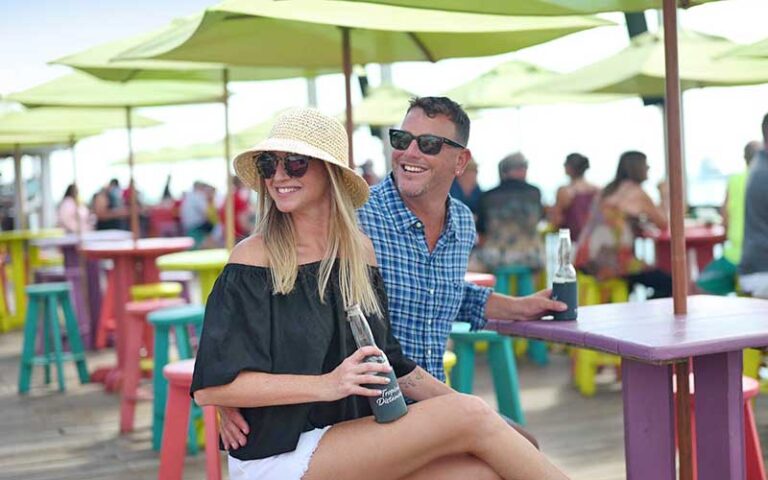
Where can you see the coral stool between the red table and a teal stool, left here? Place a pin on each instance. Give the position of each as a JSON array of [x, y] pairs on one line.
[[136, 325]]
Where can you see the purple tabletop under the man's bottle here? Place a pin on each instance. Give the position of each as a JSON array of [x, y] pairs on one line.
[[651, 333]]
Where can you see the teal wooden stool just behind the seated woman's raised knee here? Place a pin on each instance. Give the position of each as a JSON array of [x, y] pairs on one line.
[[502, 363]]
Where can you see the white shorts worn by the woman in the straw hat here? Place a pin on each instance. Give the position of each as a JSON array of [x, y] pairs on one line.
[[285, 466]]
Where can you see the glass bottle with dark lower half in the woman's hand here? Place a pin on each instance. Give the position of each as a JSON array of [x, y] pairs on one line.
[[390, 405]]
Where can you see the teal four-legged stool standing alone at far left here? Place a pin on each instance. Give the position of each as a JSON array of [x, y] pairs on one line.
[[46, 299]]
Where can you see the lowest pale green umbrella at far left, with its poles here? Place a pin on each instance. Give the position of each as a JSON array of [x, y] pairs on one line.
[[46, 128]]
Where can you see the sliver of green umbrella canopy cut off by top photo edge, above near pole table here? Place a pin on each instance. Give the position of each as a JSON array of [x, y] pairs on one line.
[[537, 7]]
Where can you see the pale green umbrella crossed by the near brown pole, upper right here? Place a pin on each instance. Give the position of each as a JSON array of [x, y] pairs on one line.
[[639, 69]]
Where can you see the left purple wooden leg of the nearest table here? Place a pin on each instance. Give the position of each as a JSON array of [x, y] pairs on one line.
[[649, 435]]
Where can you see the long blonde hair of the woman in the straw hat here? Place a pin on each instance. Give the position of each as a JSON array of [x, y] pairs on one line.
[[345, 243]]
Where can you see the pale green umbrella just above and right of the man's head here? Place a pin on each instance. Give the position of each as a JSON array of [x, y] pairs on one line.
[[508, 84]]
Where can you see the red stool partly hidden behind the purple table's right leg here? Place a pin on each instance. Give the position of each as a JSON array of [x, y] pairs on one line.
[[752, 449]]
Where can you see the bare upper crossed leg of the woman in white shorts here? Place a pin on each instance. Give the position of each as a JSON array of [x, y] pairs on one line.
[[439, 427]]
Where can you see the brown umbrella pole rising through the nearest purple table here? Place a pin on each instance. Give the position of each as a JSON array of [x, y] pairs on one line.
[[677, 233]]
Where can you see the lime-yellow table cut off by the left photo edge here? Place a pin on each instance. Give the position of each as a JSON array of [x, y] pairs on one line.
[[16, 242]]
